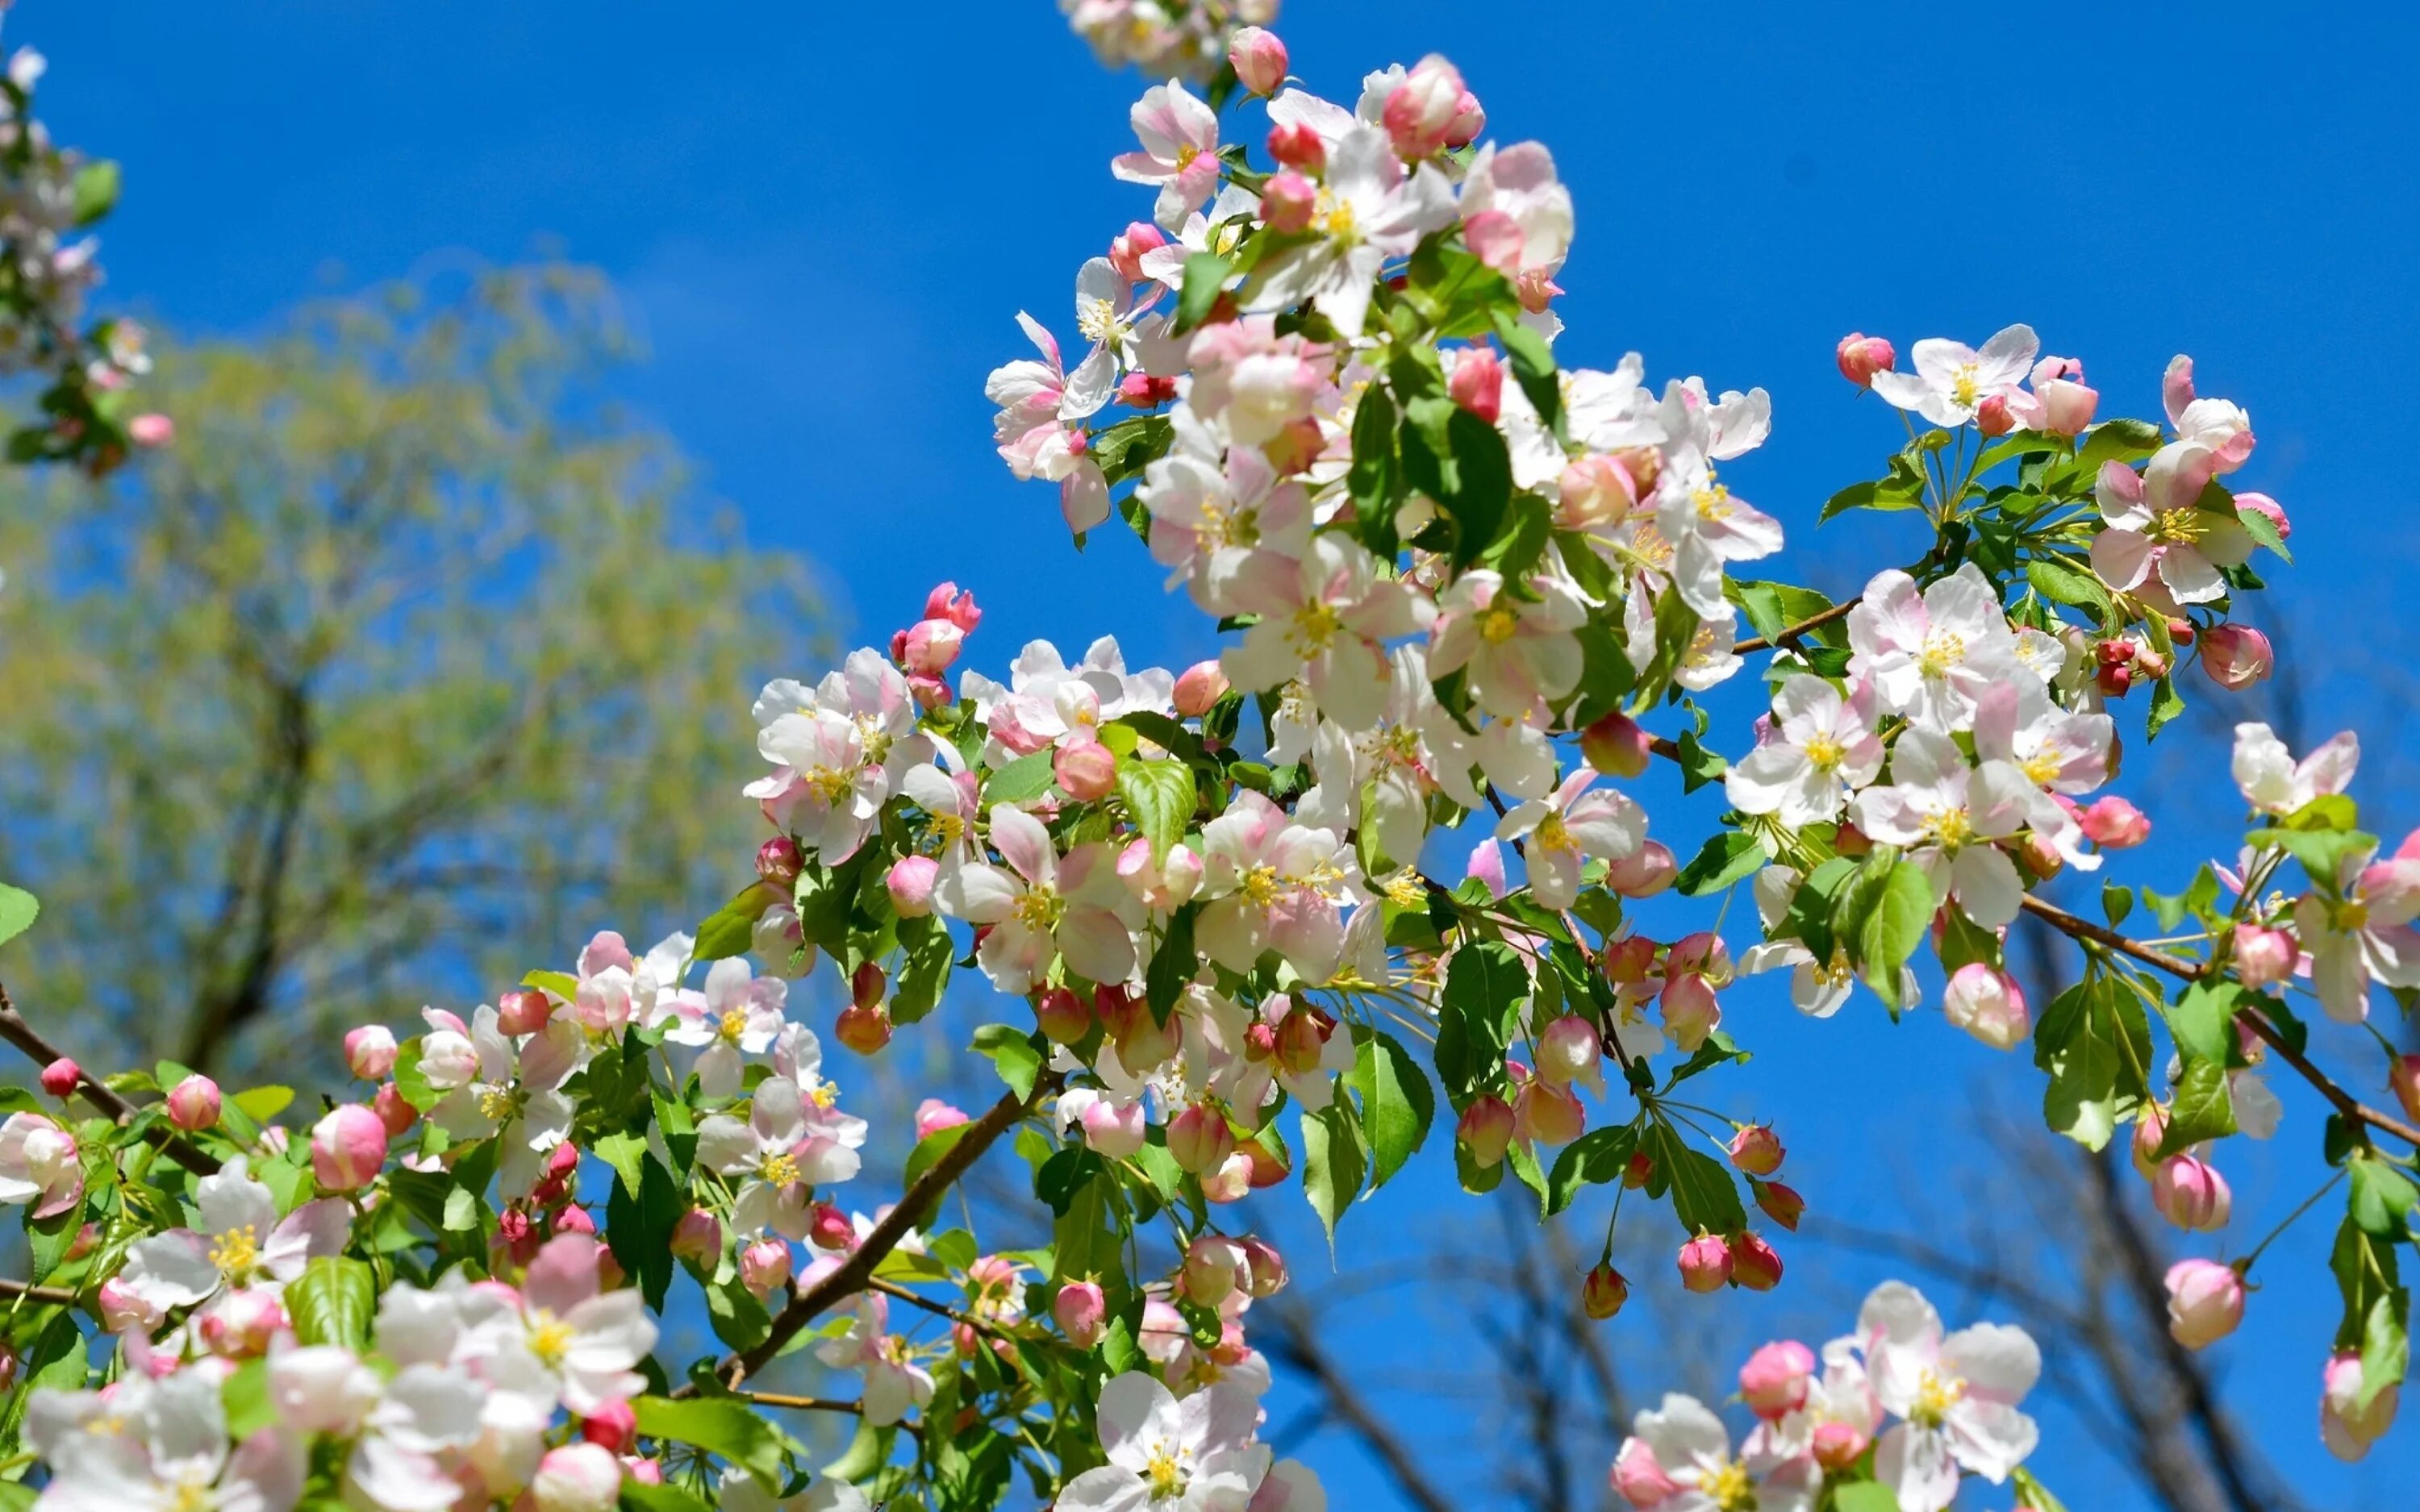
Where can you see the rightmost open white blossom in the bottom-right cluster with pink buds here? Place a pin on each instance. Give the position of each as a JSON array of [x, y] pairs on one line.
[[1957, 1397]]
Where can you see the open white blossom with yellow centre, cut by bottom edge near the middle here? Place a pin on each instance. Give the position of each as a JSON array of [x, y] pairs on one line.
[[1170, 1455]]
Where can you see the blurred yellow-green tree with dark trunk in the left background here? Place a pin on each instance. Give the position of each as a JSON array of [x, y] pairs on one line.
[[405, 666]]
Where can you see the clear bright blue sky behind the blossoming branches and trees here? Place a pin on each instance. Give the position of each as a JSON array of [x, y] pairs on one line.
[[826, 219]]
